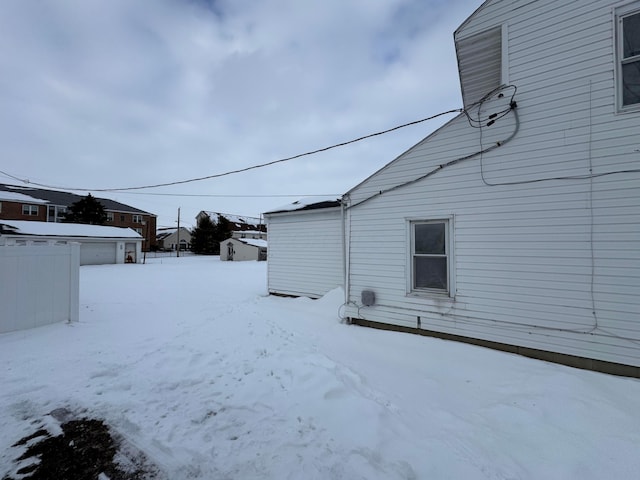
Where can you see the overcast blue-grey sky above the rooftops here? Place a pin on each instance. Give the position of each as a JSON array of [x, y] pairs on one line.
[[99, 94]]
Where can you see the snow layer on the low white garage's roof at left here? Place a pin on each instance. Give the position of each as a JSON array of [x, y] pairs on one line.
[[22, 227]]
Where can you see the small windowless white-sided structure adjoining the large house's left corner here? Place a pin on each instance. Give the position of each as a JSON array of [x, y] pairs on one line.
[[305, 248]]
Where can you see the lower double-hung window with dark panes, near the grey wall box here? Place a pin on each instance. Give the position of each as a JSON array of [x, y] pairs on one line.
[[430, 256]]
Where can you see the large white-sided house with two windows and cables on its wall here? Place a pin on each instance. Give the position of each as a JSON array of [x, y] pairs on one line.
[[517, 224]]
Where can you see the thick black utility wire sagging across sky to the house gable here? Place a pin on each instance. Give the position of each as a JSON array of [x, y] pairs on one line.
[[241, 170]]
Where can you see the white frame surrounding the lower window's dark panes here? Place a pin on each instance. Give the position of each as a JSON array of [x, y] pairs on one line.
[[449, 254]]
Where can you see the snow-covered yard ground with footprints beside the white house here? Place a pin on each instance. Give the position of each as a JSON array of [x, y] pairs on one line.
[[193, 363]]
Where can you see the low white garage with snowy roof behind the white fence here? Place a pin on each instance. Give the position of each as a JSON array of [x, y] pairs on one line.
[[98, 244]]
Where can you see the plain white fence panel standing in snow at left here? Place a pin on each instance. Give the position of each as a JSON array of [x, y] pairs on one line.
[[40, 284]]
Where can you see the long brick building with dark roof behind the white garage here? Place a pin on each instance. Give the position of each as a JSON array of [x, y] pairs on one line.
[[42, 205]]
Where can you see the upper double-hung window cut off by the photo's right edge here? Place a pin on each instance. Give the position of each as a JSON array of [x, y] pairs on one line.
[[628, 31]]
